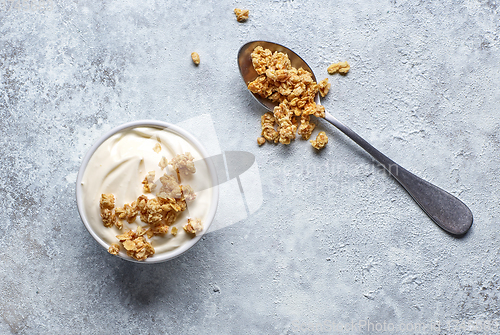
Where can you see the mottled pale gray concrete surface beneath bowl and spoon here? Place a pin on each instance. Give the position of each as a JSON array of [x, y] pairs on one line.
[[336, 242]]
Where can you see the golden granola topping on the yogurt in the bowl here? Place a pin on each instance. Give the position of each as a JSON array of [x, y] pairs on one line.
[[159, 213]]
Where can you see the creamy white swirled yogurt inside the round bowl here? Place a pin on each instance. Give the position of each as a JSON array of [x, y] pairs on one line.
[[119, 165]]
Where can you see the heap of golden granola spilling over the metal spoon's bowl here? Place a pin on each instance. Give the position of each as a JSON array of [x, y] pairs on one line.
[[294, 90]]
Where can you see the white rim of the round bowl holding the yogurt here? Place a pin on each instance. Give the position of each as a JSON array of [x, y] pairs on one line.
[[175, 129]]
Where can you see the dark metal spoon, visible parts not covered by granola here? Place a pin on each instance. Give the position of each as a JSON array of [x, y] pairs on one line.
[[447, 211]]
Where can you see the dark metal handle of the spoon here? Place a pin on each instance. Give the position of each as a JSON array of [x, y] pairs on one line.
[[446, 210]]
